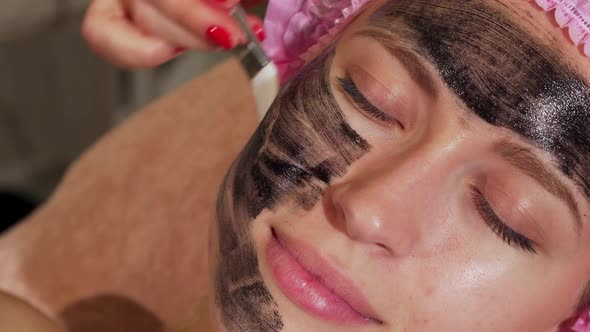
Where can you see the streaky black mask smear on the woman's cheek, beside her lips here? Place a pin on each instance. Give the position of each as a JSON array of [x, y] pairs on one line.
[[300, 147]]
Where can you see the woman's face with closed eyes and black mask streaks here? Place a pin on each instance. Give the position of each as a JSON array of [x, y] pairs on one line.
[[428, 173]]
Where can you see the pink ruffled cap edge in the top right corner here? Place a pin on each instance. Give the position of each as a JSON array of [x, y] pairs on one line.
[[573, 15]]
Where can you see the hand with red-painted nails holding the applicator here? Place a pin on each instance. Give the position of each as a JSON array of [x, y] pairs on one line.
[[147, 33]]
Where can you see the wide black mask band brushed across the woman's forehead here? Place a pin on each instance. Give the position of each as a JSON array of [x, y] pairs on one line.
[[506, 76]]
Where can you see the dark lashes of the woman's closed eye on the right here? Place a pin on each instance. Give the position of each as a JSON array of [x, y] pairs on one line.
[[506, 233]]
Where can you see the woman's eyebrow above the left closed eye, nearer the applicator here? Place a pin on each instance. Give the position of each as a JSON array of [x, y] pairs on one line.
[[411, 61]]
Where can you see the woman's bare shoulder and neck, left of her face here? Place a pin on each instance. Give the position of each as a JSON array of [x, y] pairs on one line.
[[127, 230]]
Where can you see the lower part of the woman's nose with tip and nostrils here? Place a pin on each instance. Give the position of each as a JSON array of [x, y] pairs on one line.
[[391, 209]]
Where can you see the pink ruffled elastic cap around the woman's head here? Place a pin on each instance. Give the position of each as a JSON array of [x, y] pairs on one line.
[[296, 28]]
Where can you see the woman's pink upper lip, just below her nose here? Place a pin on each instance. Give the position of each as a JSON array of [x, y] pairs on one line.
[[328, 275]]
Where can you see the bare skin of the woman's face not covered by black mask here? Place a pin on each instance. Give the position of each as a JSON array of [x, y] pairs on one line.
[[404, 224]]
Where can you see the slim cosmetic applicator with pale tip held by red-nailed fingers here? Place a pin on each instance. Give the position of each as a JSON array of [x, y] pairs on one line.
[[262, 71]]
